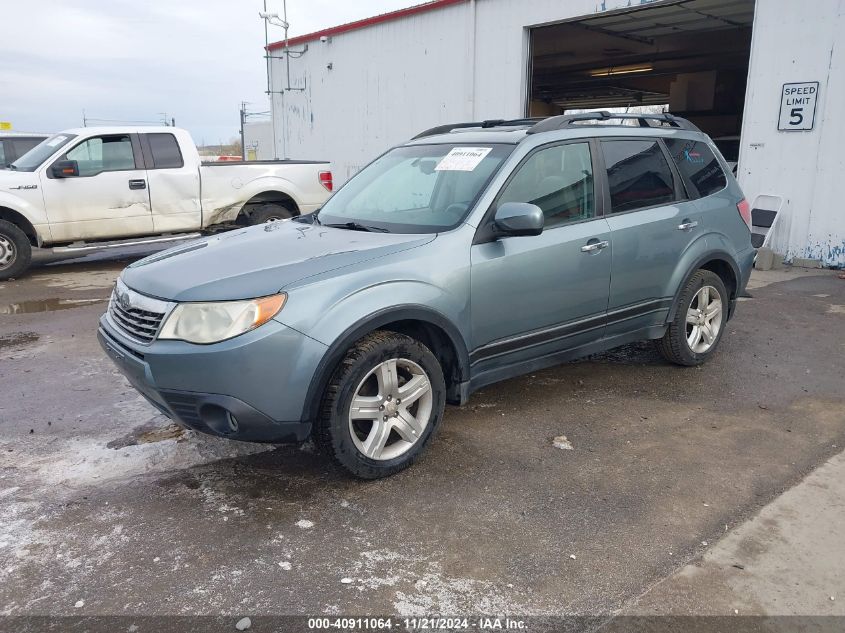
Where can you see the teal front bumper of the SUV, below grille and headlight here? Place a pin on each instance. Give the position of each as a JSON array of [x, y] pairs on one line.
[[251, 388]]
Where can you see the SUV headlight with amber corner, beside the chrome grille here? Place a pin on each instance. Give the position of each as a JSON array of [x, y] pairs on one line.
[[214, 322]]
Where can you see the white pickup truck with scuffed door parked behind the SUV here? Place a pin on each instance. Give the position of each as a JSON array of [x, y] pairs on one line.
[[96, 188]]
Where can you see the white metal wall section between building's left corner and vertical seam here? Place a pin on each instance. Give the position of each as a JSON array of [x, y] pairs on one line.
[[386, 83]]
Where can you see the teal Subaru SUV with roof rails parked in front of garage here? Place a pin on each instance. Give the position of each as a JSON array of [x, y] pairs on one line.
[[471, 254]]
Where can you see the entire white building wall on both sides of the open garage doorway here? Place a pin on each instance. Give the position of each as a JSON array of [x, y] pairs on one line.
[[468, 61]]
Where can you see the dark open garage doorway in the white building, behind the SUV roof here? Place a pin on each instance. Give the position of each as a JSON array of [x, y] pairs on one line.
[[688, 57]]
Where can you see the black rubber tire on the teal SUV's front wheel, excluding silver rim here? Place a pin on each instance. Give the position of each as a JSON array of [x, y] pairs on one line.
[[333, 431]]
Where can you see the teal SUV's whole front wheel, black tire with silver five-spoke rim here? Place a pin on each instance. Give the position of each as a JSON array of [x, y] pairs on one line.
[[382, 406]]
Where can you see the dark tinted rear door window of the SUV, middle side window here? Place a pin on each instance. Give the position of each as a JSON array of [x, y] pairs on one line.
[[638, 174]]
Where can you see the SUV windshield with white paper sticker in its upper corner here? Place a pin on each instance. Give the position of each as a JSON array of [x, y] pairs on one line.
[[415, 189]]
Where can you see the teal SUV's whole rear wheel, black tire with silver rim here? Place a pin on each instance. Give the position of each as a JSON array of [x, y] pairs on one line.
[[700, 320]]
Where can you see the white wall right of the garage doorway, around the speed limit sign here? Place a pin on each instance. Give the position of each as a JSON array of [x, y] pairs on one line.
[[798, 42]]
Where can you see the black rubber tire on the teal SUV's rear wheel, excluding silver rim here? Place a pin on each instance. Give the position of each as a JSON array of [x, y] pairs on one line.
[[674, 345]]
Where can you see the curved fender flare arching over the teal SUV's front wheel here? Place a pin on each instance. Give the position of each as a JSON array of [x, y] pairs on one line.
[[373, 322]]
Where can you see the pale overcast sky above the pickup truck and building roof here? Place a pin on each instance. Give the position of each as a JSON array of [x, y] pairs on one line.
[[134, 60]]
